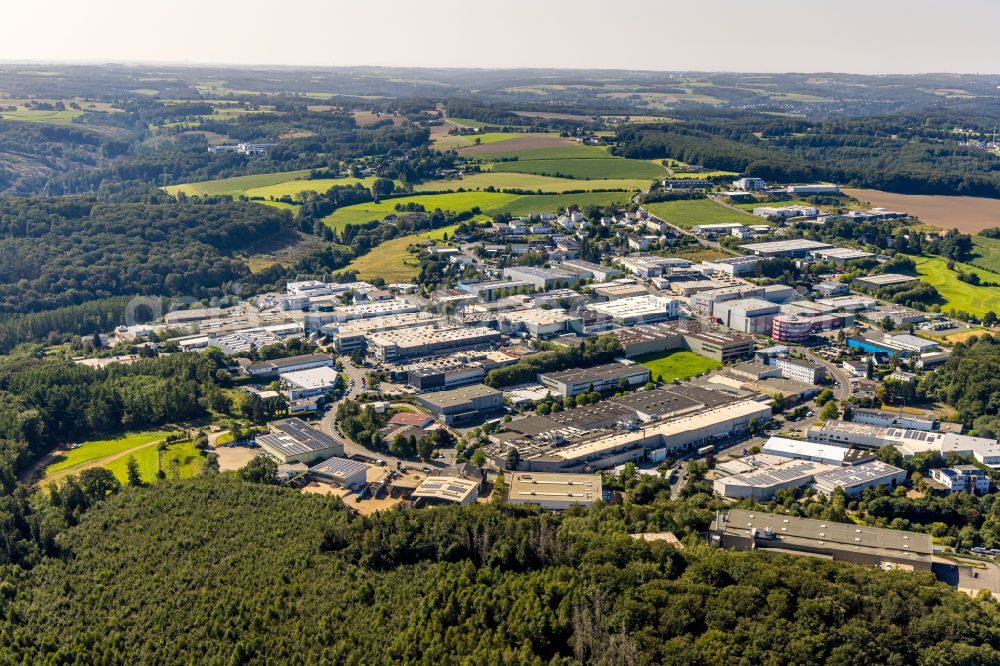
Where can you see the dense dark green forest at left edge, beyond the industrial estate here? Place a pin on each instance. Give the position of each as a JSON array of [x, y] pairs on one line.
[[64, 251]]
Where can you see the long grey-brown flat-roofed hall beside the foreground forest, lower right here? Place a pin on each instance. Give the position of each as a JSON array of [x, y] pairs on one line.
[[739, 529]]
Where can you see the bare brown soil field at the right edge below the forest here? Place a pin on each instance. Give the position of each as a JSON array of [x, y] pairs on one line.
[[967, 214]]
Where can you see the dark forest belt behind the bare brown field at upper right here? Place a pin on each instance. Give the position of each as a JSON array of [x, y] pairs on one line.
[[887, 153]]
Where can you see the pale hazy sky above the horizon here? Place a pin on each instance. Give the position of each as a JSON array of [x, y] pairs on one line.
[[867, 36]]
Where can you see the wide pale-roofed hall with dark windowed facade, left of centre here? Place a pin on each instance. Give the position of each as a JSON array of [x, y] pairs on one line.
[[423, 341]]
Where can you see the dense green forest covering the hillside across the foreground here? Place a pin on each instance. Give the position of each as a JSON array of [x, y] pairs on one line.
[[239, 573]]
